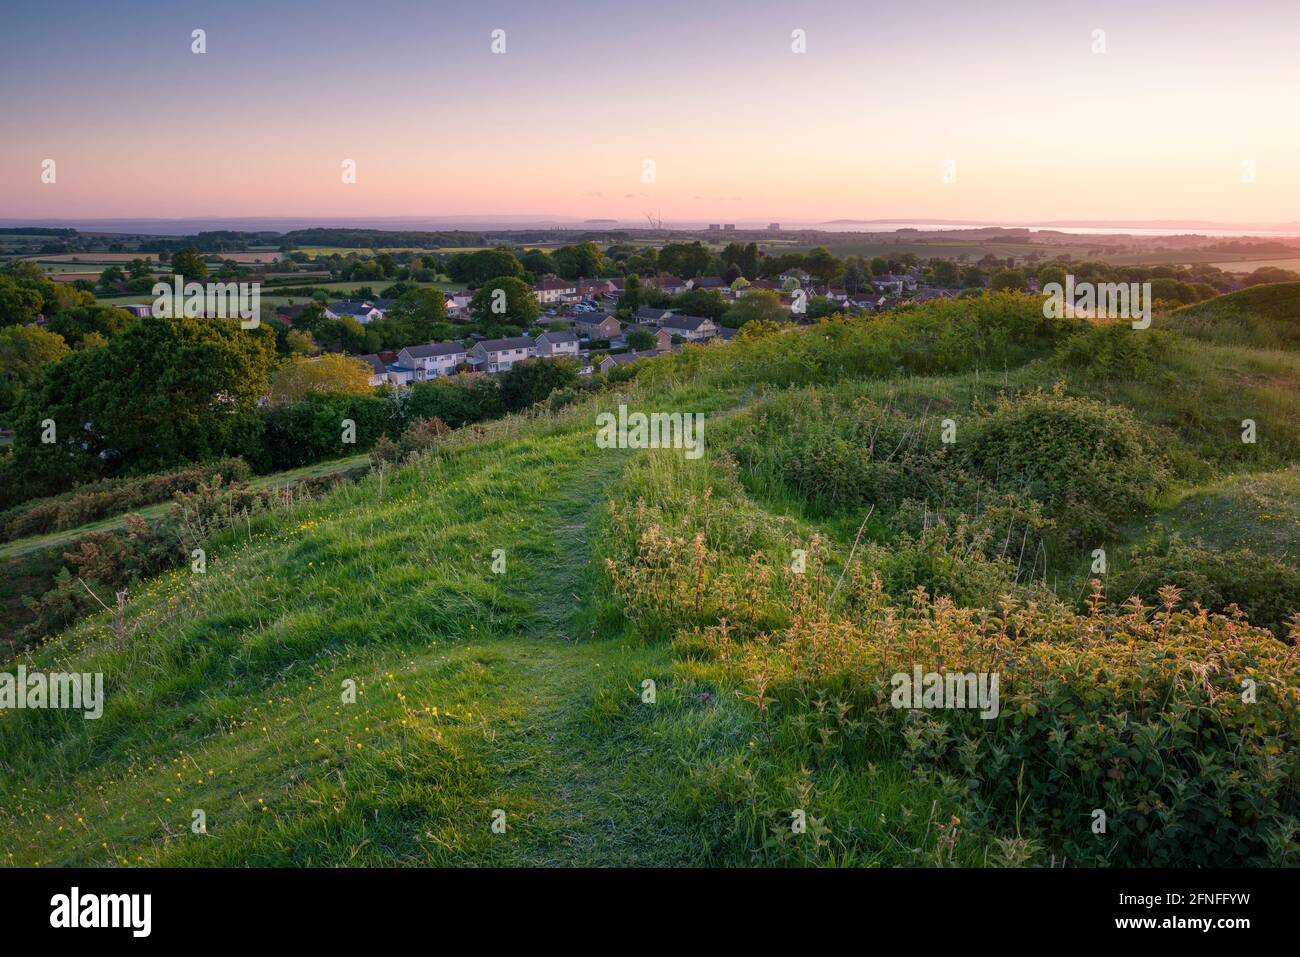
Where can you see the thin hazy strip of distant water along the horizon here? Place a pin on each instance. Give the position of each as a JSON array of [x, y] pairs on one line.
[[283, 224]]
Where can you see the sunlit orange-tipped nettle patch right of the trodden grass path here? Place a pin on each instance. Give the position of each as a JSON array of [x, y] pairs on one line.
[[1180, 724]]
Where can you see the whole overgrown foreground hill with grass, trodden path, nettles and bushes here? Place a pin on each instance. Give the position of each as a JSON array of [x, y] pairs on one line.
[[525, 690]]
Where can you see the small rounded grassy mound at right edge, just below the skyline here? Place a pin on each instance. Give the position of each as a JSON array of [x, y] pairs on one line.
[[1262, 317]]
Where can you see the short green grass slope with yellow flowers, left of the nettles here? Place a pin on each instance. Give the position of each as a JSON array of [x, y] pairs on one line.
[[227, 698]]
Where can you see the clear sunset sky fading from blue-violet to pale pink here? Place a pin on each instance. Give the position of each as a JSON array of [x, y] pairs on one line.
[[703, 111]]
